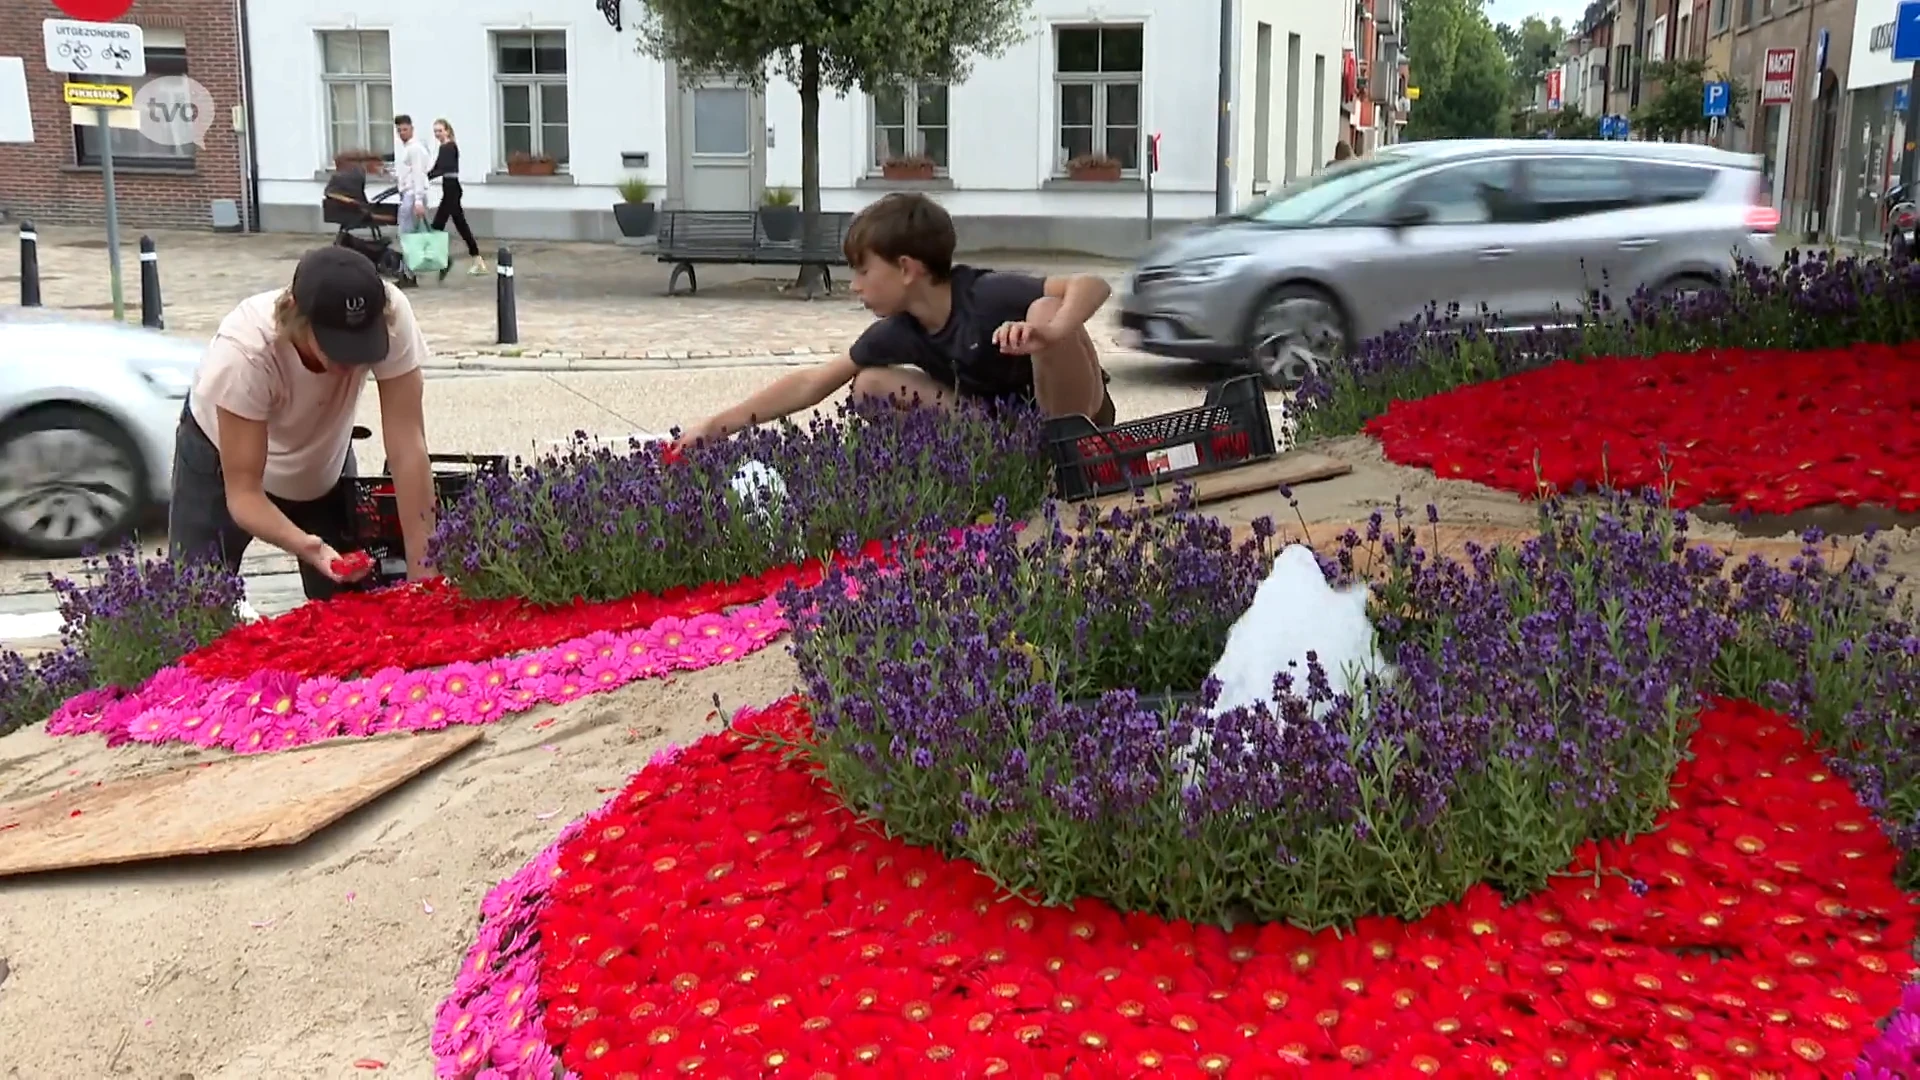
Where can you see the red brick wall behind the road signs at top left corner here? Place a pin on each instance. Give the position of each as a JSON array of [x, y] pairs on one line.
[[41, 180]]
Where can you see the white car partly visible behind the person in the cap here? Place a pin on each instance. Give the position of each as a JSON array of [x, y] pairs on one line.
[[87, 420]]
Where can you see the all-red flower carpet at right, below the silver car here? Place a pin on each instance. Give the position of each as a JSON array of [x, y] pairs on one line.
[[1762, 431]]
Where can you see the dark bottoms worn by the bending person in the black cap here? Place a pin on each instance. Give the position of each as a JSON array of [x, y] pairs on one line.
[[199, 524]]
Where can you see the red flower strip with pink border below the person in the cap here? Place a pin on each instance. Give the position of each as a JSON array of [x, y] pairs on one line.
[[423, 658]]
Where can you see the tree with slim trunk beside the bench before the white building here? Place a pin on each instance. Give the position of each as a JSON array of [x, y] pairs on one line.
[[828, 47]]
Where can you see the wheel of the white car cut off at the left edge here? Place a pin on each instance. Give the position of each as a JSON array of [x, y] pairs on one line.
[[70, 481]]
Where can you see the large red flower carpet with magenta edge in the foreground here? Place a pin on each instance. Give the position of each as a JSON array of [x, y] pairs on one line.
[[727, 918]]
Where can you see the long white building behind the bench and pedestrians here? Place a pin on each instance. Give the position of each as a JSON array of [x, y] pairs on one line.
[[1092, 78]]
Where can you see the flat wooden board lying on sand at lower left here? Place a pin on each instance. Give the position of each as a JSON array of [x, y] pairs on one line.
[[237, 804]]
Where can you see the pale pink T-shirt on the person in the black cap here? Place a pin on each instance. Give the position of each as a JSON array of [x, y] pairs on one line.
[[310, 418]]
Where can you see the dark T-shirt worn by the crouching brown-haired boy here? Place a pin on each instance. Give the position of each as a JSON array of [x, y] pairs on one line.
[[963, 355]]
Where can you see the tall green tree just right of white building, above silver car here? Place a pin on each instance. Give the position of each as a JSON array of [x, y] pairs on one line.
[[1462, 72]]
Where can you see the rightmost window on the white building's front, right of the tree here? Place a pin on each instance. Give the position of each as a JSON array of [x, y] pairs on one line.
[[1097, 93]]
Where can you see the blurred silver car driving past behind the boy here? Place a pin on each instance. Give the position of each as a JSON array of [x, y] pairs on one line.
[[1516, 233]]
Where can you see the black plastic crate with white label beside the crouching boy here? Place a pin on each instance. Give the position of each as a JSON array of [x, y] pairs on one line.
[[1228, 431]]
